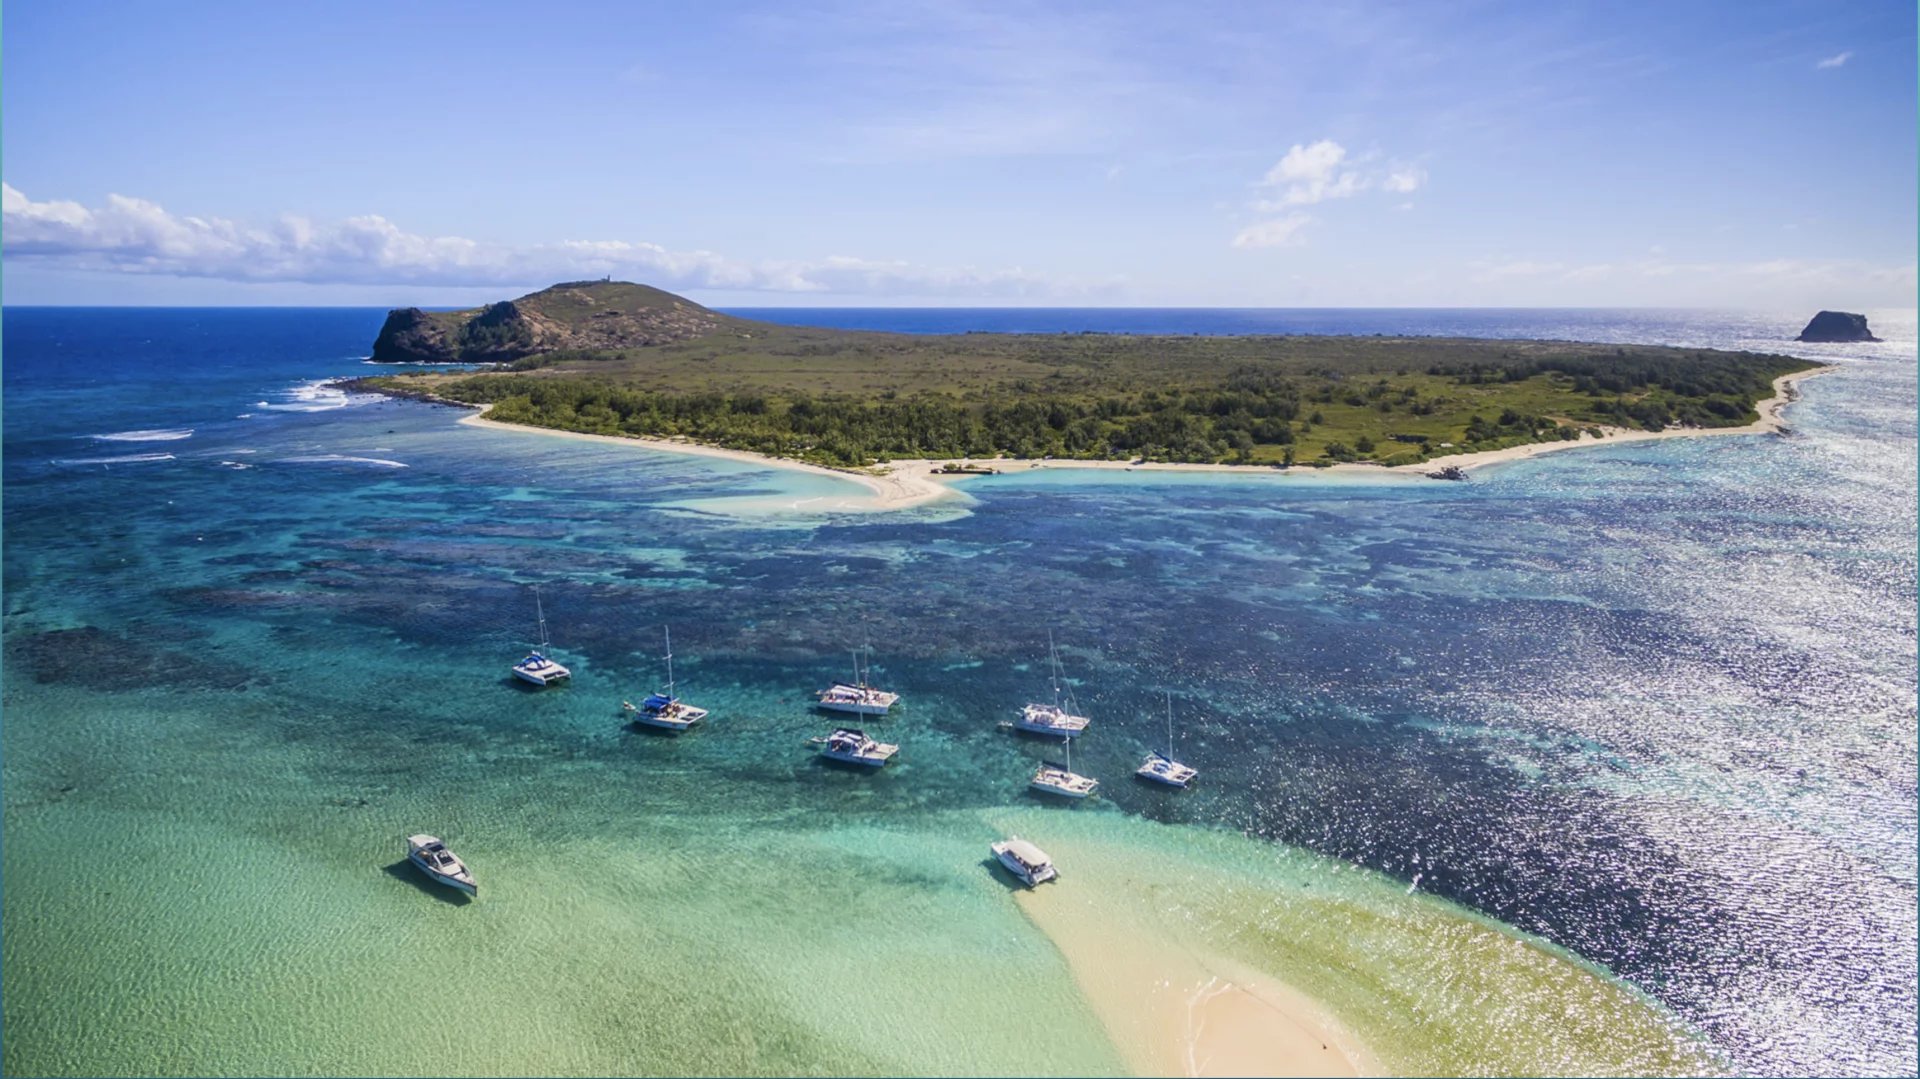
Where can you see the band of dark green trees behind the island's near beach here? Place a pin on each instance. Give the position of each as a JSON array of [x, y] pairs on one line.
[[1247, 416]]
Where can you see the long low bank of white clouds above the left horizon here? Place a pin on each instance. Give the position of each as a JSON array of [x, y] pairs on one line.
[[130, 235]]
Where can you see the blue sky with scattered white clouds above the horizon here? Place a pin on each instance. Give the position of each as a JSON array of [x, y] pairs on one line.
[[1750, 155]]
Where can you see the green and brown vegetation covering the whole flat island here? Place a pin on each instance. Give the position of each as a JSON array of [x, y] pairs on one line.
[[850, 398]]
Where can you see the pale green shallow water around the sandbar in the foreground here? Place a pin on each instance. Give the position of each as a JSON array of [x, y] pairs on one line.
[[185, 898]]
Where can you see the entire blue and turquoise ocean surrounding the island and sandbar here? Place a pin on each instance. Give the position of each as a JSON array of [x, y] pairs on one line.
[[1600, 763]]
